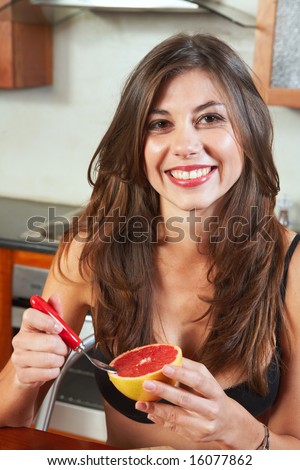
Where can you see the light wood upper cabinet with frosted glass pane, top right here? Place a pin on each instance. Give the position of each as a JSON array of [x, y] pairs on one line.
[[277, 52]]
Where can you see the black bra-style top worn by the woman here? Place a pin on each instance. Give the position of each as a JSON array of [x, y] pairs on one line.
[[253, 402]]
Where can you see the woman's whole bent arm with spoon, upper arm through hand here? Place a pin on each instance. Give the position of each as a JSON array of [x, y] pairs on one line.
[[38, 350]]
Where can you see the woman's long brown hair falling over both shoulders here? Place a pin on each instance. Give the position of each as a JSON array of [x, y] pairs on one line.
[[246, 268]]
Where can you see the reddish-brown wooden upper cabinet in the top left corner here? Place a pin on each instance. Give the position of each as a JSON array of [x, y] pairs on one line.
[[25, 46]]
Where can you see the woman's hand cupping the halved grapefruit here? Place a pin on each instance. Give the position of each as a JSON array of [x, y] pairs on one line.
[[204, 413]]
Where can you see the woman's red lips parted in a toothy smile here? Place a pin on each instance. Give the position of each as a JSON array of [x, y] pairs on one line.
[[190, 176]]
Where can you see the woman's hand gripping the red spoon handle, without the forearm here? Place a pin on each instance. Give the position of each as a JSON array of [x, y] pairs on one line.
[[39, 352]]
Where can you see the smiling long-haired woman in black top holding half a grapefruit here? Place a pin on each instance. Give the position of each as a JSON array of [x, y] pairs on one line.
[[179, 244]]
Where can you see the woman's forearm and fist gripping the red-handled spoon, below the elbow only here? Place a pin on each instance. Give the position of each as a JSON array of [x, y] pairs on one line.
[[37, 357]]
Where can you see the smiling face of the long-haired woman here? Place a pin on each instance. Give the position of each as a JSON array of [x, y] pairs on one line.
[[192, 157]]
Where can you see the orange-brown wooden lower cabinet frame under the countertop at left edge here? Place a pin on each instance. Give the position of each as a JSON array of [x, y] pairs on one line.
[[8, 258]]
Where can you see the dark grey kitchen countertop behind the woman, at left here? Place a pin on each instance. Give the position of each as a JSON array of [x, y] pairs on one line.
[[23, 224]]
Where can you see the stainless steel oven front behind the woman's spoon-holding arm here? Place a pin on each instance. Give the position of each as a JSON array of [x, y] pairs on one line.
[[79, 404]]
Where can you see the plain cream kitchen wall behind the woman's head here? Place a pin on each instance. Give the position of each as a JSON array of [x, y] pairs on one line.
[[48, 134]]
